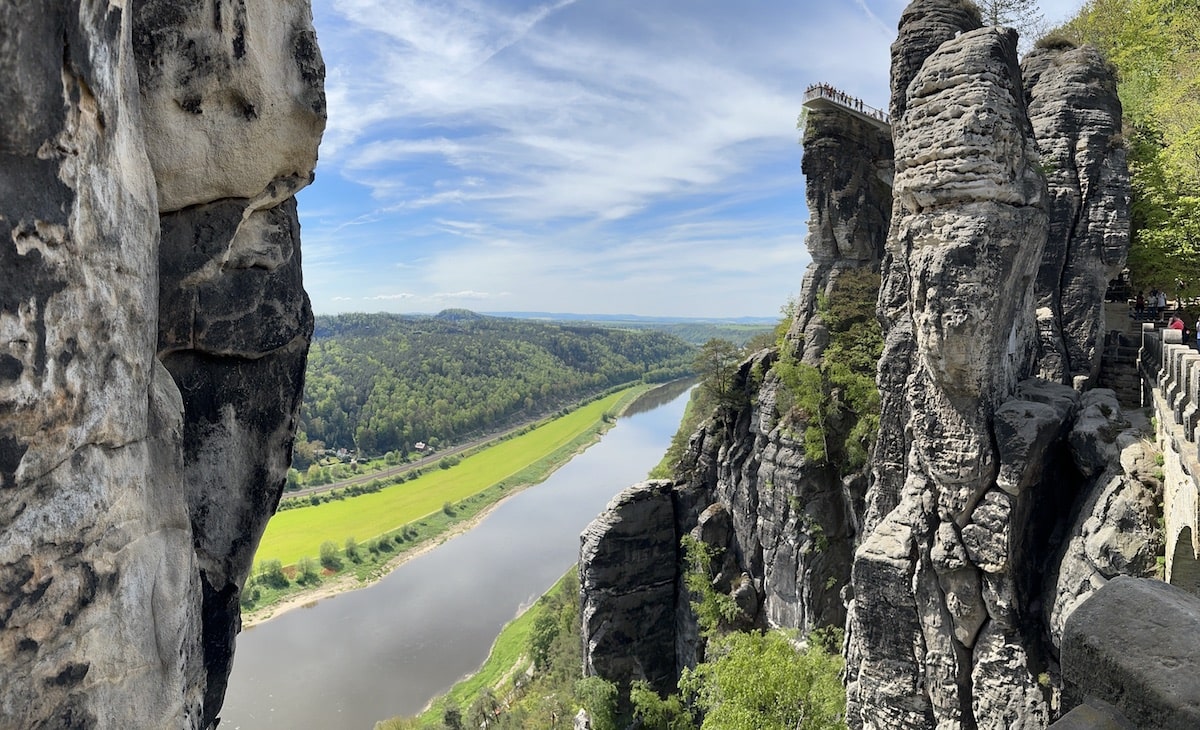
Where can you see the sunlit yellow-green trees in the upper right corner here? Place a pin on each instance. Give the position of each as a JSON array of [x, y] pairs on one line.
[[1156, 47]]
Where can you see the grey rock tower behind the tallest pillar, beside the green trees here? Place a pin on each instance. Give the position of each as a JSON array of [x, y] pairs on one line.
[[1077, 121]]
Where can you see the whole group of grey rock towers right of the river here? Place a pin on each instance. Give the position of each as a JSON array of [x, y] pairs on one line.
[[1004, 488]]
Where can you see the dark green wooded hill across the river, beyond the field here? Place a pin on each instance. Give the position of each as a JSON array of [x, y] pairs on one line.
[[386, 382]]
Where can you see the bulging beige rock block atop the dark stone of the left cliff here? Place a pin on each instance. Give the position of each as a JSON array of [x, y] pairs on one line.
[[232, 95]]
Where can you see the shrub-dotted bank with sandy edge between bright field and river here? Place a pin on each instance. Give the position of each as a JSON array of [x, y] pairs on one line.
[[361, 565]]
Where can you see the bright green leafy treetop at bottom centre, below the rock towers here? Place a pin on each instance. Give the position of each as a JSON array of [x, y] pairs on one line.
[[764, 683]]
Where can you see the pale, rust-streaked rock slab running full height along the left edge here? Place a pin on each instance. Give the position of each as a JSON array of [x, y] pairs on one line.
[[100, 599]]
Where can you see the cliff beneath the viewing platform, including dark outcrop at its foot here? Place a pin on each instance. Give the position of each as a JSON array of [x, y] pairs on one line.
[[784, 526]]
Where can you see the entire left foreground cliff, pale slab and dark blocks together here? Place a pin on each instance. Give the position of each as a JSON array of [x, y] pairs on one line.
[[136, 493]]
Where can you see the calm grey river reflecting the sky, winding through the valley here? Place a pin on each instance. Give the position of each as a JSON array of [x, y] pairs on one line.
[[389, 649]]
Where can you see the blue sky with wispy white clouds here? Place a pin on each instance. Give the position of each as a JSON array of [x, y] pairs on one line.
[[591, 157]]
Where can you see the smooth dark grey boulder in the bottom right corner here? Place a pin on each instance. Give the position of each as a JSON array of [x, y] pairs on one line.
[[1135, 644]]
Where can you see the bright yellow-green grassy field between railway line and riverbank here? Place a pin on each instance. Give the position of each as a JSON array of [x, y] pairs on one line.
[[296, 534]]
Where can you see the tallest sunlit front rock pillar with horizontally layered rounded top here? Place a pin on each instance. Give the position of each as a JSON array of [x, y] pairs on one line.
[[943, 565]]
